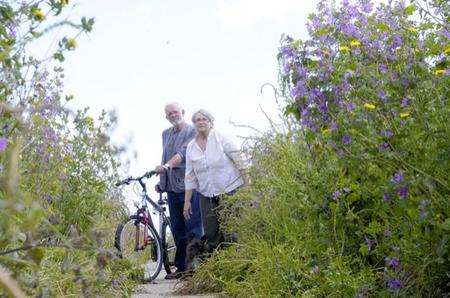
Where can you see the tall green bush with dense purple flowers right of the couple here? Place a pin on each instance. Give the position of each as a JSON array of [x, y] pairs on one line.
[[353, 198]]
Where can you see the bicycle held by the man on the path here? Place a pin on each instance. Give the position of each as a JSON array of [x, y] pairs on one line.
[[137, 238]]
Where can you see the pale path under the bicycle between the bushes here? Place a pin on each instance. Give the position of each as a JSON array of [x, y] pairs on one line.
[[161, 288]]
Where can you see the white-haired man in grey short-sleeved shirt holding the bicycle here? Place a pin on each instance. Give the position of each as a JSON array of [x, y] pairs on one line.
[[172, 171]]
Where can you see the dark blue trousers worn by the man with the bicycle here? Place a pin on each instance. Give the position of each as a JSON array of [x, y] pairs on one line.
[[181, 227]]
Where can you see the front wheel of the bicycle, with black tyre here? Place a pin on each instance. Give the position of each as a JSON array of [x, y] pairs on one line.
[[129, 241]]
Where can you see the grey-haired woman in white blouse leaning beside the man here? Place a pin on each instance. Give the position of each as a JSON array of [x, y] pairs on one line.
[[214, 166]]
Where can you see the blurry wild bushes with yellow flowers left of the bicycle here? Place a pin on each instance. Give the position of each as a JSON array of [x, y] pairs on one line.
[[57, 208]]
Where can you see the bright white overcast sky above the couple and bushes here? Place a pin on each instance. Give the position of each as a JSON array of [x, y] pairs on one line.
[[213, 54]]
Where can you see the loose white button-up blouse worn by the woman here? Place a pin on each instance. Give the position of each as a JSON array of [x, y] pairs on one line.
[[216, 170]]
